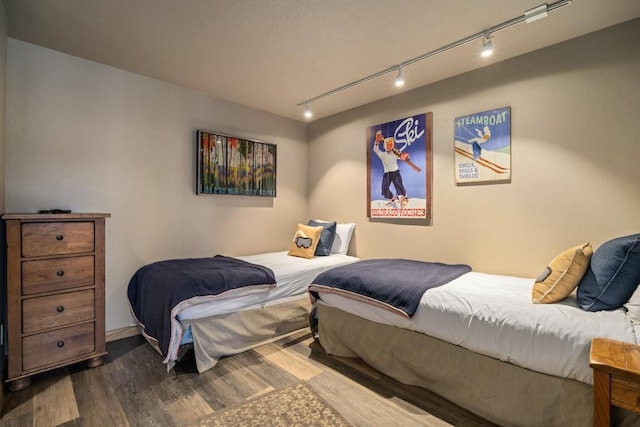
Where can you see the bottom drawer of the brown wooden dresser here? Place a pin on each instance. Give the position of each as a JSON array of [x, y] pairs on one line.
[[55, 346]]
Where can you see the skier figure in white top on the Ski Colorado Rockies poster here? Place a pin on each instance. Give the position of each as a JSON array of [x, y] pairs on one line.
[[389, 158]]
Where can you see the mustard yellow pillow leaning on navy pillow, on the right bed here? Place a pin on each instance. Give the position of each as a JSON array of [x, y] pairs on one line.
[[562, 275]]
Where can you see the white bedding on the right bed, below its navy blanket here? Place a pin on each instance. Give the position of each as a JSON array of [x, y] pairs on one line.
[[493, 315]]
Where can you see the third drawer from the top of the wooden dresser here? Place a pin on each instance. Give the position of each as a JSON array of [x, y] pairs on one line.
[[57, 310]]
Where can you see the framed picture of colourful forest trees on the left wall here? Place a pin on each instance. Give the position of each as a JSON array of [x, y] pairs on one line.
[[231, 165]]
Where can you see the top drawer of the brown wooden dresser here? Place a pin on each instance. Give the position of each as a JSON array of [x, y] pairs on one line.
[[57, 238]]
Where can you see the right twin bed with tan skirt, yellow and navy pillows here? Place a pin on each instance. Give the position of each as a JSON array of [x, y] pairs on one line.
[[480, 341]]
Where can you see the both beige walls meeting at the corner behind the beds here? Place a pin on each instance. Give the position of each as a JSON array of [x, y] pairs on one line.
[[88, 137]]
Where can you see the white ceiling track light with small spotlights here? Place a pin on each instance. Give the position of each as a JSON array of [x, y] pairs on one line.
[[529, 16]]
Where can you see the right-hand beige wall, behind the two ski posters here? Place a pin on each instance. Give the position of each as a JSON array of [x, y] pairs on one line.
[[575, 159]]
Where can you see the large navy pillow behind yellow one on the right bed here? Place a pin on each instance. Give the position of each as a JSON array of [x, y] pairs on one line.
[[613, 275]]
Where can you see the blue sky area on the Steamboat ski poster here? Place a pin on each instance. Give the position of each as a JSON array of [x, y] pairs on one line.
[[472, 126]]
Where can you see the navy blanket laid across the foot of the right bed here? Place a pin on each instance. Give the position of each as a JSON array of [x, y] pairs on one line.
[[399, 283]]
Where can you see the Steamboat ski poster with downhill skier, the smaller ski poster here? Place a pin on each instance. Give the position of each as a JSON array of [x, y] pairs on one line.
[[482, 146]]
